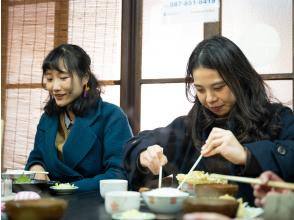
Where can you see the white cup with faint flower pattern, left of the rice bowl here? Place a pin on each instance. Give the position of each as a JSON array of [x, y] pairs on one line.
[[119, 201]]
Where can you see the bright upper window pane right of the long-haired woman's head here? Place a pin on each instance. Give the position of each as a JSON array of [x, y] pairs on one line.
[[263, 30]]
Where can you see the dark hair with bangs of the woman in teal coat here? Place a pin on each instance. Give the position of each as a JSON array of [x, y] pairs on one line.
[[76, 61]]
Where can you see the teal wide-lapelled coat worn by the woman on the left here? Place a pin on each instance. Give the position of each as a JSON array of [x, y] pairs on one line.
[[93, 150]]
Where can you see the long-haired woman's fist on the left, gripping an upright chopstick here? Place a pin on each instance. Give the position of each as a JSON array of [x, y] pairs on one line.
[[152, 158]]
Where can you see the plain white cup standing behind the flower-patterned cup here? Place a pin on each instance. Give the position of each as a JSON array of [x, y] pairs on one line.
[[111, 185]]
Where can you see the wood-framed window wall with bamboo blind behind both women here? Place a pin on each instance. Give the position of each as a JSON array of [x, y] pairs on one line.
[[139, 50]]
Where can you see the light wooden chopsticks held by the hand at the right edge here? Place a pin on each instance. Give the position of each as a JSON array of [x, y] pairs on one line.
[[276, 184]]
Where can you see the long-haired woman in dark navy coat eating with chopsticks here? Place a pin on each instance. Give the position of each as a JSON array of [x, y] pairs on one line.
[[232, 123]]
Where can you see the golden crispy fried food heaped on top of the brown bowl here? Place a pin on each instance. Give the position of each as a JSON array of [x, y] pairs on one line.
[[200, 177]]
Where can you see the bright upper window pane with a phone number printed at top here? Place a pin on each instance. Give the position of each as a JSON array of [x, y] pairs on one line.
[[171, 30]]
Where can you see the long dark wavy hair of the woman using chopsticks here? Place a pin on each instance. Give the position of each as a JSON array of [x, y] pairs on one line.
[[253, 117]]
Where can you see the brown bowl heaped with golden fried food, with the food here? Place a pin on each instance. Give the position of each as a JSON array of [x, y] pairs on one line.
[[202, 184]]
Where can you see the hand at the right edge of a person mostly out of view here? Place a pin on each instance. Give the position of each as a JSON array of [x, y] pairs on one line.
[[263, 190]]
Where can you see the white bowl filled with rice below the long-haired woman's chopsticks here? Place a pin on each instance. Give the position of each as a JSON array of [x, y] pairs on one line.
[[165, 200]]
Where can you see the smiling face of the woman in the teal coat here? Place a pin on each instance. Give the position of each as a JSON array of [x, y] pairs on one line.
[[63, 86]]
